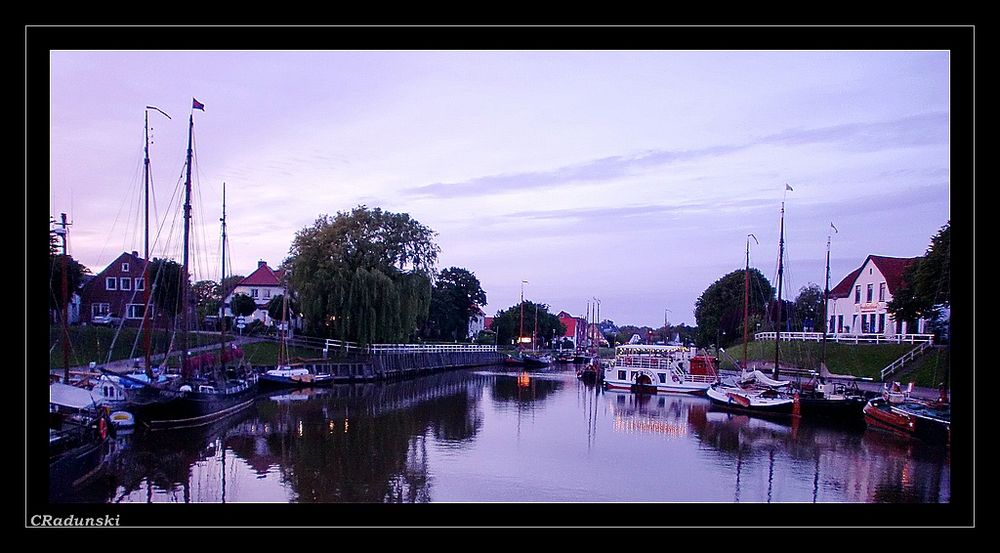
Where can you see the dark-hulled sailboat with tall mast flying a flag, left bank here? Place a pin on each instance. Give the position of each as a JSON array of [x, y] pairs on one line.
[[204, 391]]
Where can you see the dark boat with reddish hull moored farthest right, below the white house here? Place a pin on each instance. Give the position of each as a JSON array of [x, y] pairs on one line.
[[897, 412]]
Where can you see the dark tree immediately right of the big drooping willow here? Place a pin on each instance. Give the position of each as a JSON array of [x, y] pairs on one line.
[[455, 298]]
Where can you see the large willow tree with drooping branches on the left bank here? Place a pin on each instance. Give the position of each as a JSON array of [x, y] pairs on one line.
[[363, 275]]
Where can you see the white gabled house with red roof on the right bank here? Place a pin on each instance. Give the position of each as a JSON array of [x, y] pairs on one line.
[[857, 304]]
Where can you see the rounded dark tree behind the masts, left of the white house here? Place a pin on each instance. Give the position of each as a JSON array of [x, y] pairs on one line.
[[719, 310]]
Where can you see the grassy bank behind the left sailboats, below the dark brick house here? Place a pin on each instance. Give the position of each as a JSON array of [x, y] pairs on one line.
[[92, 343]]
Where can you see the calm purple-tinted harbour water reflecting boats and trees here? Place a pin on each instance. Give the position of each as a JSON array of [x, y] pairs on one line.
[[478, 435]]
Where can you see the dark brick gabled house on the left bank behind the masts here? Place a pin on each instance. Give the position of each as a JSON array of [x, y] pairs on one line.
[[118, 291]]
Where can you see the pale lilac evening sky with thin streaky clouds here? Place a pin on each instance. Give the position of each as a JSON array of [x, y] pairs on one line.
[[632, 177]]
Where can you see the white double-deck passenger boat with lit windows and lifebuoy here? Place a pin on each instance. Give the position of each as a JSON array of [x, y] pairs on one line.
[[657, 368]]
